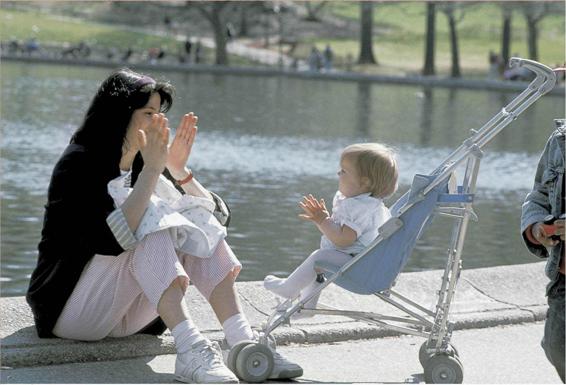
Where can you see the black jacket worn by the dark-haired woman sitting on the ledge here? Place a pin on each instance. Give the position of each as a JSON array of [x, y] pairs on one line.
[[74, 230]]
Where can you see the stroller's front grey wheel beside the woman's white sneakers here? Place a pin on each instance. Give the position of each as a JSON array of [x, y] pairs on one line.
[[254, 363]]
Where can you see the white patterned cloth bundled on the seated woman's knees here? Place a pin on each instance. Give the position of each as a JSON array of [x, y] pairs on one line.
[[190, 220]]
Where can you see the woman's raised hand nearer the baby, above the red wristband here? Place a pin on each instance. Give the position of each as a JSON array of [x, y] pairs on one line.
[[181, 146]]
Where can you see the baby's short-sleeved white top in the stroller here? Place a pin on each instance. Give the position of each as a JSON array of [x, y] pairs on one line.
[[362, 213]]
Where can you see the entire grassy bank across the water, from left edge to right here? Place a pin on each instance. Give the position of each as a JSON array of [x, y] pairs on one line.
[[398, 32]]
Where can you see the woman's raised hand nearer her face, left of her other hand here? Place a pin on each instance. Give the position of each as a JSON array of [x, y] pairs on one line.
[[153, 142]]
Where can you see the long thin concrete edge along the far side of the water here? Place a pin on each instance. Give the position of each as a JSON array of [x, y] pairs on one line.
[[428, 81]]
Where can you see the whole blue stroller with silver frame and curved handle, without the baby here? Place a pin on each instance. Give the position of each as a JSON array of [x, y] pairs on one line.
[[374, 270]]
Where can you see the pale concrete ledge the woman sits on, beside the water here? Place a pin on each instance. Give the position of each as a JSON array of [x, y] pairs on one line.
[[485, 297]]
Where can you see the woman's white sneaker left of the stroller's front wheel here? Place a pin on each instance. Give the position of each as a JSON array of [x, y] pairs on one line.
[[203, 364]]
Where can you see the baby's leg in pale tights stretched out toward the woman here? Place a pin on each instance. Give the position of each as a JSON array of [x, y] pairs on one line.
[[305, 274]]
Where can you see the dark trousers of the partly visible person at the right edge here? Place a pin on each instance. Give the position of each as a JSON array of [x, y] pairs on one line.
[[553, 340]]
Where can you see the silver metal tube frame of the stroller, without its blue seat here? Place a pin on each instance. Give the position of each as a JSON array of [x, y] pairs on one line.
[[438, 357]]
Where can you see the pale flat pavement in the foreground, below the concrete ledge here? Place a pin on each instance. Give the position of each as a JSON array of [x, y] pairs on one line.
[[509, 354]]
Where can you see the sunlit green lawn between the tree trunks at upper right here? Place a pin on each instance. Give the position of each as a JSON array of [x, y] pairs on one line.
[[399, 36]]
